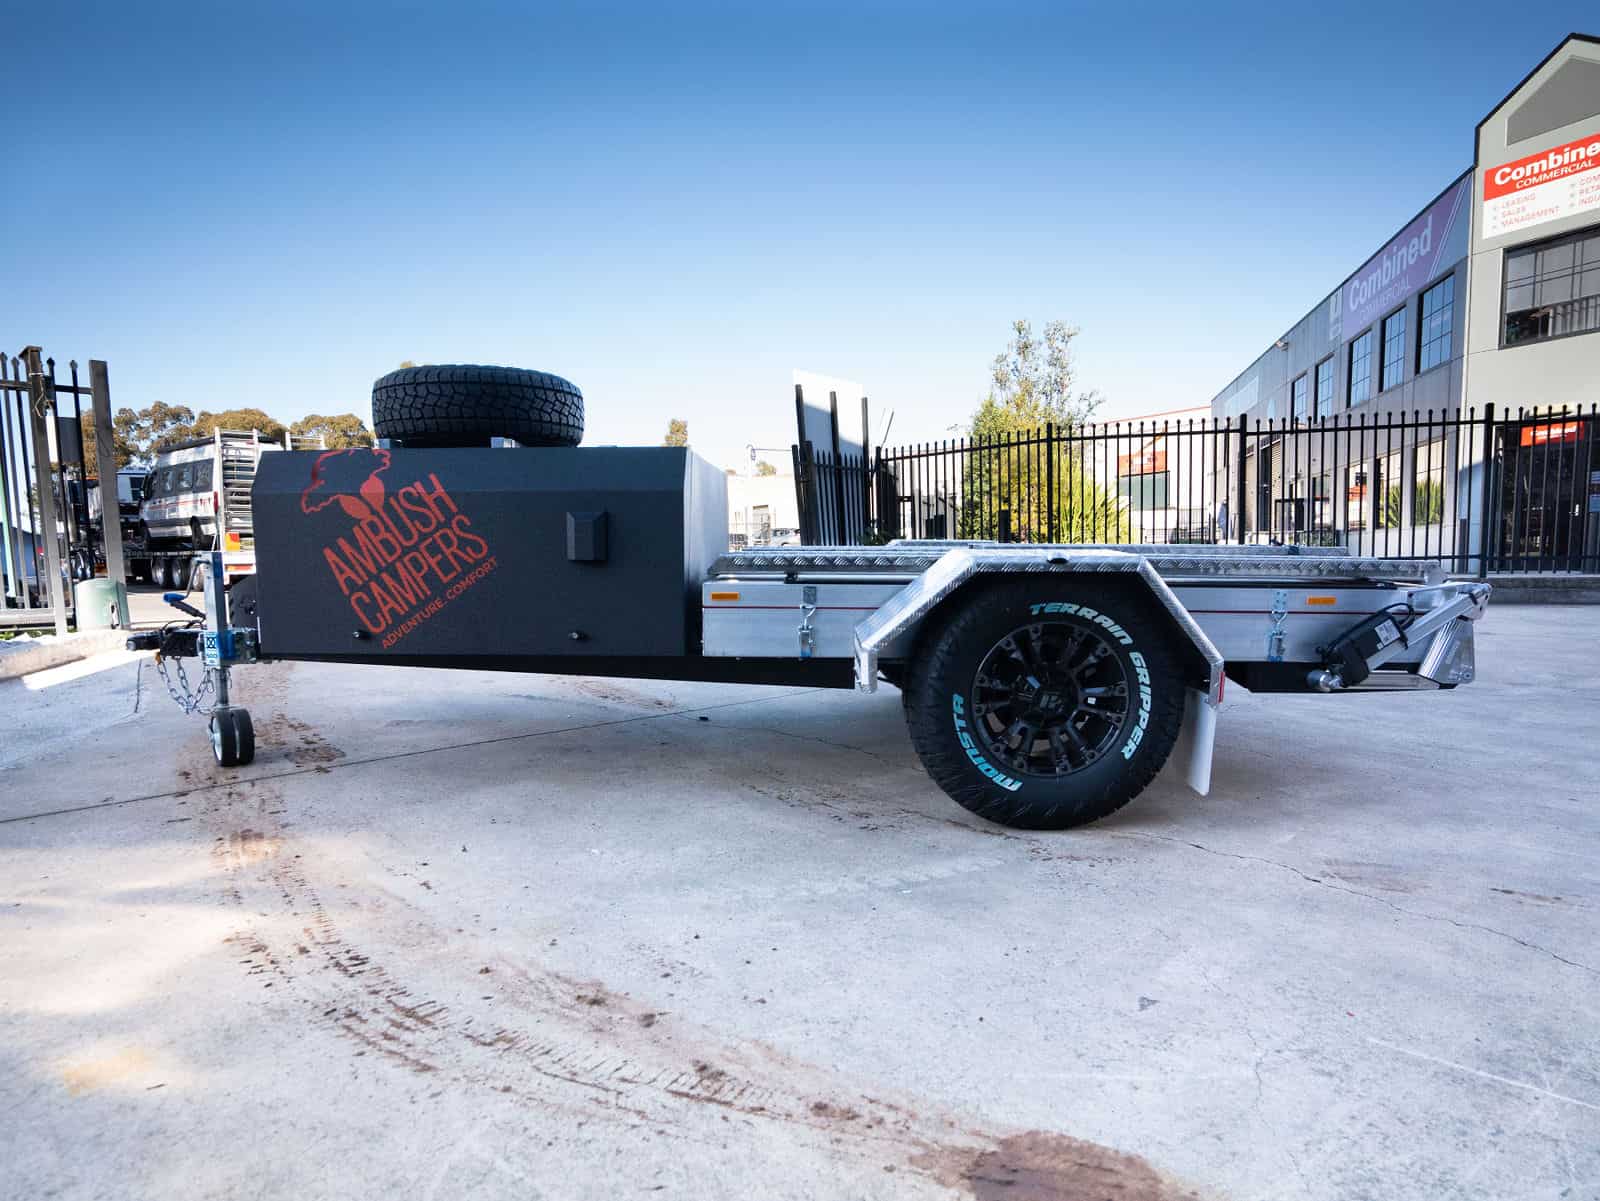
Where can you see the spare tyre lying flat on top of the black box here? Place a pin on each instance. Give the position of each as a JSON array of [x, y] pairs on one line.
[[470, 405]]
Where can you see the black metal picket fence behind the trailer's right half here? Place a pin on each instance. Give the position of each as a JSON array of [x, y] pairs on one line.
[[1482, 492]]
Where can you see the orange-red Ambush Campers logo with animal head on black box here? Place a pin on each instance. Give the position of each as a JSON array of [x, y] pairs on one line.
[[406, 554]]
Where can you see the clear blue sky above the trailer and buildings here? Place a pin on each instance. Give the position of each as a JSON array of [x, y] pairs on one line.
[[274, 205]]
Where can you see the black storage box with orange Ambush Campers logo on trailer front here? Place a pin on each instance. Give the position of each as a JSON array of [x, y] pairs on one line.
[[484, 554]]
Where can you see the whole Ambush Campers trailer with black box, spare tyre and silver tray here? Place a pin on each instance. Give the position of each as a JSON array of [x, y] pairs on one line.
[[1044, 685]]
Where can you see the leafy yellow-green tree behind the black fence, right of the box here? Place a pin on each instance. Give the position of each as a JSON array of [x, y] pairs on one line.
[[1044, 485]]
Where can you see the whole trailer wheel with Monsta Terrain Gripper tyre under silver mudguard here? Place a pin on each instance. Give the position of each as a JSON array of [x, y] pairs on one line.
[[1046, 703]]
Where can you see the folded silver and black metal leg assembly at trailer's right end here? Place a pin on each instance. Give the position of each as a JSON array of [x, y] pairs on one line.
[[1442, 613]]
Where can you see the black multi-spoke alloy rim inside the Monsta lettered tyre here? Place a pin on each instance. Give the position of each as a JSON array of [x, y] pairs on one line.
[[1050, 700]]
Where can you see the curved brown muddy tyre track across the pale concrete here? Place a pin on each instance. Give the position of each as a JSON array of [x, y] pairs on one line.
[[596, 1048]]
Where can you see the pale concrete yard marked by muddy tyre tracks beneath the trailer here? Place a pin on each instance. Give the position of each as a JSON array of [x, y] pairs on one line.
[[538, 938]]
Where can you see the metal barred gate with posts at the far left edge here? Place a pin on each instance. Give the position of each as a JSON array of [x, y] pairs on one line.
[[49, 535]]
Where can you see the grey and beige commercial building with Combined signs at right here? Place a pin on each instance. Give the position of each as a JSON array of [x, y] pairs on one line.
[[1489, 297]]
